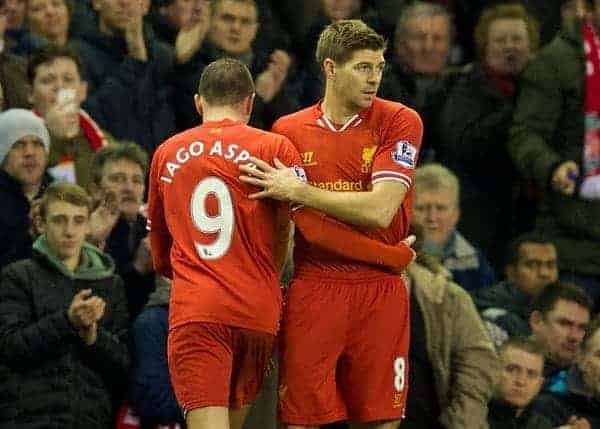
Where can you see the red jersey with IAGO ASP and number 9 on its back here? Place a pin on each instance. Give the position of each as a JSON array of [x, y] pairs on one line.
[[220, 242]]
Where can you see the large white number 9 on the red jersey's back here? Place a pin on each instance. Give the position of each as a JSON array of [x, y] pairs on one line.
[[222, 223]]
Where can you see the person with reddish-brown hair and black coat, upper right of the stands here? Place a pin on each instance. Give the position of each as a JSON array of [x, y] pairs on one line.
[[474, 122]]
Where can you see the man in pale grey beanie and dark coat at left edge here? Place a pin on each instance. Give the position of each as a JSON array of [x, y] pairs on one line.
[[24, 145]]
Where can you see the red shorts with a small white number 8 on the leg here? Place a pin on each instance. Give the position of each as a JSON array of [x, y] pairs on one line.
[[344, 351]]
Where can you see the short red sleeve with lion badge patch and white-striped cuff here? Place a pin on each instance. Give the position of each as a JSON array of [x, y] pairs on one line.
[[397, 156]]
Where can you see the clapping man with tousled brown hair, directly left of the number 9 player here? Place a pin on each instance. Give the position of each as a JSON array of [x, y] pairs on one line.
[[117, 224]]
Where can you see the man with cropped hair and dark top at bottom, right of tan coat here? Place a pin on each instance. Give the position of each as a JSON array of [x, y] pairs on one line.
[[520, 382]]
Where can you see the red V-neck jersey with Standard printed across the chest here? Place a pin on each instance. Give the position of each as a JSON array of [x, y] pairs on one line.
[[380, 143]]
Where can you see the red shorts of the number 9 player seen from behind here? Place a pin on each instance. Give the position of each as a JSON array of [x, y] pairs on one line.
[[217, 365]]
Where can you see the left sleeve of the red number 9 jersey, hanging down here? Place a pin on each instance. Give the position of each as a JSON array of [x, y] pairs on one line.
[[160, 237]]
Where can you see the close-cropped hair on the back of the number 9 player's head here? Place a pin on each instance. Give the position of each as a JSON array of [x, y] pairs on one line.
[[225, 82]]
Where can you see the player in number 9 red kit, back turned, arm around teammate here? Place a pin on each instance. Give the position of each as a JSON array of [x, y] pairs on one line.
[[224, 251]]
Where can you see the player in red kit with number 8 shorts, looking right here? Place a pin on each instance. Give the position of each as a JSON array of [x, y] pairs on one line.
[[345, 330]]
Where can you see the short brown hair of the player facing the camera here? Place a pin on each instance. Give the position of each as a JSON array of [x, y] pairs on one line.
[[341, 39]]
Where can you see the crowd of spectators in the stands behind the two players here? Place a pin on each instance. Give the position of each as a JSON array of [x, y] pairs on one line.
[[506, 287]]
